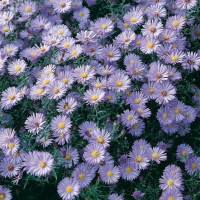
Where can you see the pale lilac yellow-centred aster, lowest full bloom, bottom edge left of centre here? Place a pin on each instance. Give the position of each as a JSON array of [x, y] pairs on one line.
[[68, 188]]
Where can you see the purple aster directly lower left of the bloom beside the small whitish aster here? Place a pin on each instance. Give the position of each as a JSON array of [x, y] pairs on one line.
[[128, 171]]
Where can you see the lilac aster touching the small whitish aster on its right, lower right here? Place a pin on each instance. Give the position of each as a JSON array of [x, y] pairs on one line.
[[139, 159]]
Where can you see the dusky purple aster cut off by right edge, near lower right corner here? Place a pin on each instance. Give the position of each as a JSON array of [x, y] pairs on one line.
[[192, 165]]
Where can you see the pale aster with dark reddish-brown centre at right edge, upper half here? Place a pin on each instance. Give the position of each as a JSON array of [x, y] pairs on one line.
[[191, 61]]
